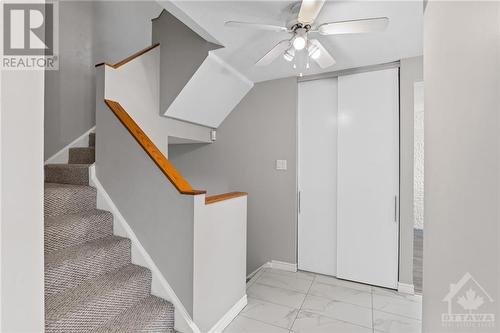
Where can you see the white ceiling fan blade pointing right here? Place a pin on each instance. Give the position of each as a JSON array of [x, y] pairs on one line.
[[354, 26]]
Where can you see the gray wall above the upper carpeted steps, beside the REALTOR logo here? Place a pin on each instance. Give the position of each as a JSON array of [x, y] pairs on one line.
[[70, 91]]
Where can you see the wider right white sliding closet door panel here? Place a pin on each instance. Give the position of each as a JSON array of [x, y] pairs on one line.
[[368, 178]]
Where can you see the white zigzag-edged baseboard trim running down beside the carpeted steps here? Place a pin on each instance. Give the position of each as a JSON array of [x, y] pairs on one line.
[[159, 287]]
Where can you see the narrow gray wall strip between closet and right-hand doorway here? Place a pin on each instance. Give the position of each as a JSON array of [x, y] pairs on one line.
[[411, 71]]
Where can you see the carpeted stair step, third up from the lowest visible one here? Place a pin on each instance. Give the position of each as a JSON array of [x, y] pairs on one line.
[[71, 266]]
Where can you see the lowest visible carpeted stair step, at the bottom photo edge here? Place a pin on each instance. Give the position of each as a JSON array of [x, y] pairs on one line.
[[152, 314]]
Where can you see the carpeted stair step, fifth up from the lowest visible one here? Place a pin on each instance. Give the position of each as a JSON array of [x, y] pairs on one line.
[[68, 199]]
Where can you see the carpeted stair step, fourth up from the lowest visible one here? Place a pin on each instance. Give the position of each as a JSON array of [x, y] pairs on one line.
[[62, 231]]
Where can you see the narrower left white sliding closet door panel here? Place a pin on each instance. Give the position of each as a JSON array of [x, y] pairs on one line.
[[317, 107]]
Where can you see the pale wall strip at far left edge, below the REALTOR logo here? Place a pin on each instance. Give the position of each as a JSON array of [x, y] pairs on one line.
[[21, 213]]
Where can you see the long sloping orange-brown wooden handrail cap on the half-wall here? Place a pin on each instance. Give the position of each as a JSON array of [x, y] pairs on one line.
[[156, 155]]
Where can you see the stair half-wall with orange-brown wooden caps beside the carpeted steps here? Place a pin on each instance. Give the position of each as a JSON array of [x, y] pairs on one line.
[[198, 243]]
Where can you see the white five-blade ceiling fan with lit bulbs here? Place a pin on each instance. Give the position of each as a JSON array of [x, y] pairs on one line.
[[303, 26]]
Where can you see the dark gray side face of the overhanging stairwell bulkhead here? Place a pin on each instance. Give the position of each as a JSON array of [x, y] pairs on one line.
[[182, 52]]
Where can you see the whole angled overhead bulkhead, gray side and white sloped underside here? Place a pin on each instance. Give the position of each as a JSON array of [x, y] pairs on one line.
[[196, 85]]
